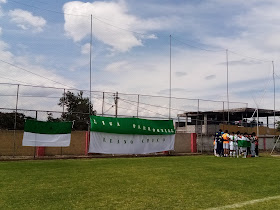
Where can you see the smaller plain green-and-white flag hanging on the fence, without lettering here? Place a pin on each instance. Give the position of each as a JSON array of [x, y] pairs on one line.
[[46, 134]]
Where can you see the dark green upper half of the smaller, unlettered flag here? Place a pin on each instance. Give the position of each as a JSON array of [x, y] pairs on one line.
[[34, 126]]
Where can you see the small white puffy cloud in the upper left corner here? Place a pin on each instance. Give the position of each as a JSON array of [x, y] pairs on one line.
[[26, 20]]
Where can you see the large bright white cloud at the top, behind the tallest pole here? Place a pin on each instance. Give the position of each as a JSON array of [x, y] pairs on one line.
[[114, 14]]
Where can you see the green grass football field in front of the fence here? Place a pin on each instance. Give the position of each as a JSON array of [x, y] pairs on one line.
[[186, 182]]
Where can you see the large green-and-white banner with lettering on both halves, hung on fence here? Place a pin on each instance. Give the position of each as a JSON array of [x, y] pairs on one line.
[[111, 135]]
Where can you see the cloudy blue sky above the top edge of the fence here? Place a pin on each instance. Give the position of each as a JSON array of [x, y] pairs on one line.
[[37, 36]]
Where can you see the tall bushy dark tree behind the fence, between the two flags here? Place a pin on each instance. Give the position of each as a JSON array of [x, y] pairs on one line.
[[77, 109]]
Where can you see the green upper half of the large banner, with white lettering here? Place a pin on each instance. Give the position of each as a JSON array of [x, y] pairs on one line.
[[131, 126]]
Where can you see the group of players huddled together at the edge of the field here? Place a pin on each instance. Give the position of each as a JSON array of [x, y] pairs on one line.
[[235, 144]]
